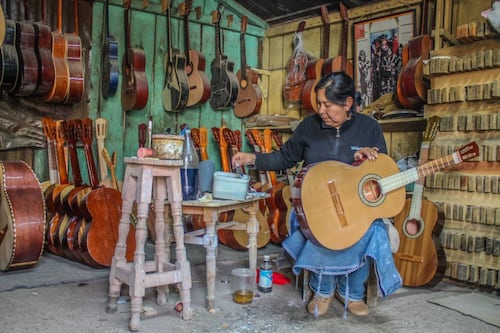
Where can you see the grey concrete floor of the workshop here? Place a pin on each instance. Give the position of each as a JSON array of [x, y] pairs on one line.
[[58, 295]]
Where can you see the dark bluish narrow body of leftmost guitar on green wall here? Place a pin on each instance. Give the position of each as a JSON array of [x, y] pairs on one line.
[[109, 65]]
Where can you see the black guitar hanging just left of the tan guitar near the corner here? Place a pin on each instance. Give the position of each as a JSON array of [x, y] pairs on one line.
[[224, 84]]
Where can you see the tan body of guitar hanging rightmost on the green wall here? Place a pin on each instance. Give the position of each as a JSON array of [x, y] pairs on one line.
[[249, 98]]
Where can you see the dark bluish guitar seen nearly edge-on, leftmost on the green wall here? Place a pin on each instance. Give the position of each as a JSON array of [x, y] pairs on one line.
[[109, 61]]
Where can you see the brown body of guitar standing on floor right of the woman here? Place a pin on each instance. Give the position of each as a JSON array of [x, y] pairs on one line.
[[420, 259]]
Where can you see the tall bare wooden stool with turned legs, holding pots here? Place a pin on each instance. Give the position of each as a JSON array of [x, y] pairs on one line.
[[146, 178]]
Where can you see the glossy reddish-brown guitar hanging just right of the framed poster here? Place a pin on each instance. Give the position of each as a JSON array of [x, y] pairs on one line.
[[411, 88]]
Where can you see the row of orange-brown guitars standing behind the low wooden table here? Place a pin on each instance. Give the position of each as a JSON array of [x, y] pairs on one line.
[[273, 211]]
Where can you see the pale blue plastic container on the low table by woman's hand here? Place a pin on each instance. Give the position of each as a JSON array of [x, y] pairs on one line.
[[230, 186]]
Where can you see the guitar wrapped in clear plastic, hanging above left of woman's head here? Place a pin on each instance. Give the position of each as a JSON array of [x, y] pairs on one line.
[[296, 69]]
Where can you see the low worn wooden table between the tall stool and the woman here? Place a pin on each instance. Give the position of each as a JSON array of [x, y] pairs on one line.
[[210, 211]]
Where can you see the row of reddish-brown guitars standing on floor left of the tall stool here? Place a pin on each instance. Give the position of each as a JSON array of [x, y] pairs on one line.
[[82, 219]]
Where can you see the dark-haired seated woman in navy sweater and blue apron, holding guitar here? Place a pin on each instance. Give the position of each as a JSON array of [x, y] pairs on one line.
[[336, 132]]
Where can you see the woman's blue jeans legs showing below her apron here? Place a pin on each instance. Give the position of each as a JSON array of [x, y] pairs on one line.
[[353, 286]]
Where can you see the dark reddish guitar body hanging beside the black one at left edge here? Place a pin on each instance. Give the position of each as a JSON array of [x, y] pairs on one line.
[[29, 64]]
